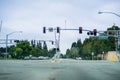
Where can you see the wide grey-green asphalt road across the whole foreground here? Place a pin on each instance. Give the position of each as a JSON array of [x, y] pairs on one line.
[[59, 70]]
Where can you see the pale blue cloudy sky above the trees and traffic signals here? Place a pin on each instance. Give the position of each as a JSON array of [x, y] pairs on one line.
[[30, 16]]
